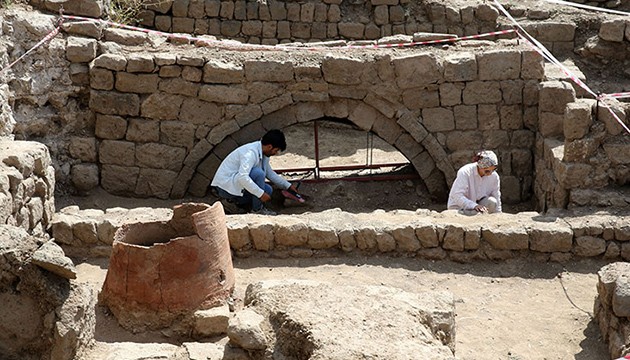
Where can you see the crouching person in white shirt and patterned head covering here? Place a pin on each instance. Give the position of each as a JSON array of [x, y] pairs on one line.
[[477, 188]]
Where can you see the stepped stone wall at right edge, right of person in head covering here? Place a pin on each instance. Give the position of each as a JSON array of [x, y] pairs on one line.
[[582, 152]]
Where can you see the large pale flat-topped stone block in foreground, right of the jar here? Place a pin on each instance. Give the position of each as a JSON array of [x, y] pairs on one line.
[[386, 323]]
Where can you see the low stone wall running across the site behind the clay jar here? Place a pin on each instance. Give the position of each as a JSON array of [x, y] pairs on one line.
[[553, 237]]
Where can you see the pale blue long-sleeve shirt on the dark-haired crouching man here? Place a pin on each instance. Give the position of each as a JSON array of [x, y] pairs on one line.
[[233, 173]]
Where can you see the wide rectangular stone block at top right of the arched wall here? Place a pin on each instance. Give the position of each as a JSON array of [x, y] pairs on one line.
[[499, 65]]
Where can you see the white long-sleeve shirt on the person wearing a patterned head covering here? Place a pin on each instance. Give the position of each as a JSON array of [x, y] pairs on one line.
[[469, 187]]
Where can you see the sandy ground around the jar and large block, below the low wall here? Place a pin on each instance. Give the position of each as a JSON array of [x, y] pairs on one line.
[[513, 310]]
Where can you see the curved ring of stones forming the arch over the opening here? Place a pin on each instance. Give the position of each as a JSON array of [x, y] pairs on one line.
[[404, 132]]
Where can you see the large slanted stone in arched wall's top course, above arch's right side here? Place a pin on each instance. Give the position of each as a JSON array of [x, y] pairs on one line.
[[417, 70]]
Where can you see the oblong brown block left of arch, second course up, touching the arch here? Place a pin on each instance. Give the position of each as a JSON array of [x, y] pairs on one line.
[[160, 156]]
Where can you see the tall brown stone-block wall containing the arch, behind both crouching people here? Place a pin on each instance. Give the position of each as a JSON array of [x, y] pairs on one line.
[[164, 121]]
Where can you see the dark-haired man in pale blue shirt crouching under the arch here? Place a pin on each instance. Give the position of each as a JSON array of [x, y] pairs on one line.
[[240, 179]]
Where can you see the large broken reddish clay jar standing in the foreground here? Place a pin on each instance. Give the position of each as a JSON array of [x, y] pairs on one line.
[[161, 272]]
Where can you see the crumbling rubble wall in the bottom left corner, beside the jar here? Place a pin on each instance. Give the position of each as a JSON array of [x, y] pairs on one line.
[[44, 314]]
